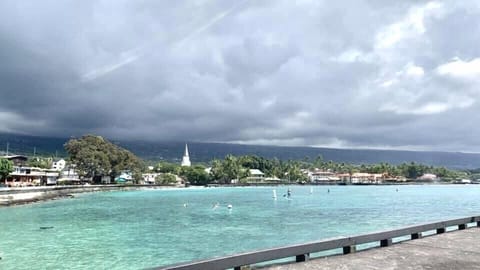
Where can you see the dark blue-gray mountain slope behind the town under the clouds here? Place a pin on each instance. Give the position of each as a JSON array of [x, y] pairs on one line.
[[204, 152]]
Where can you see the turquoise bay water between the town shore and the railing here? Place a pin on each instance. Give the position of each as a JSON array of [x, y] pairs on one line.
[[138, 229]]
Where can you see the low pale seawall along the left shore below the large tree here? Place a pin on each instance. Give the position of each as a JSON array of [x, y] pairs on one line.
[[15, 196]]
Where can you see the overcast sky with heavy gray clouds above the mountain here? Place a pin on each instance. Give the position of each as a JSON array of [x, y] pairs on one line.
[[360, 74]]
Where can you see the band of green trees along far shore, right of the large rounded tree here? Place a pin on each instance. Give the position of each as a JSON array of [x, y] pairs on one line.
[[223, 171]]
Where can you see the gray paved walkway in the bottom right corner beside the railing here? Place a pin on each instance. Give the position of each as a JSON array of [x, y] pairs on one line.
[[452, 250]]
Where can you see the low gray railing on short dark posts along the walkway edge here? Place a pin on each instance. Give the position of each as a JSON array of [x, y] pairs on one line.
[[302, 252]]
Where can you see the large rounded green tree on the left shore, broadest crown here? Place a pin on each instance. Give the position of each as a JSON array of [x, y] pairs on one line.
[[95, 156]]
